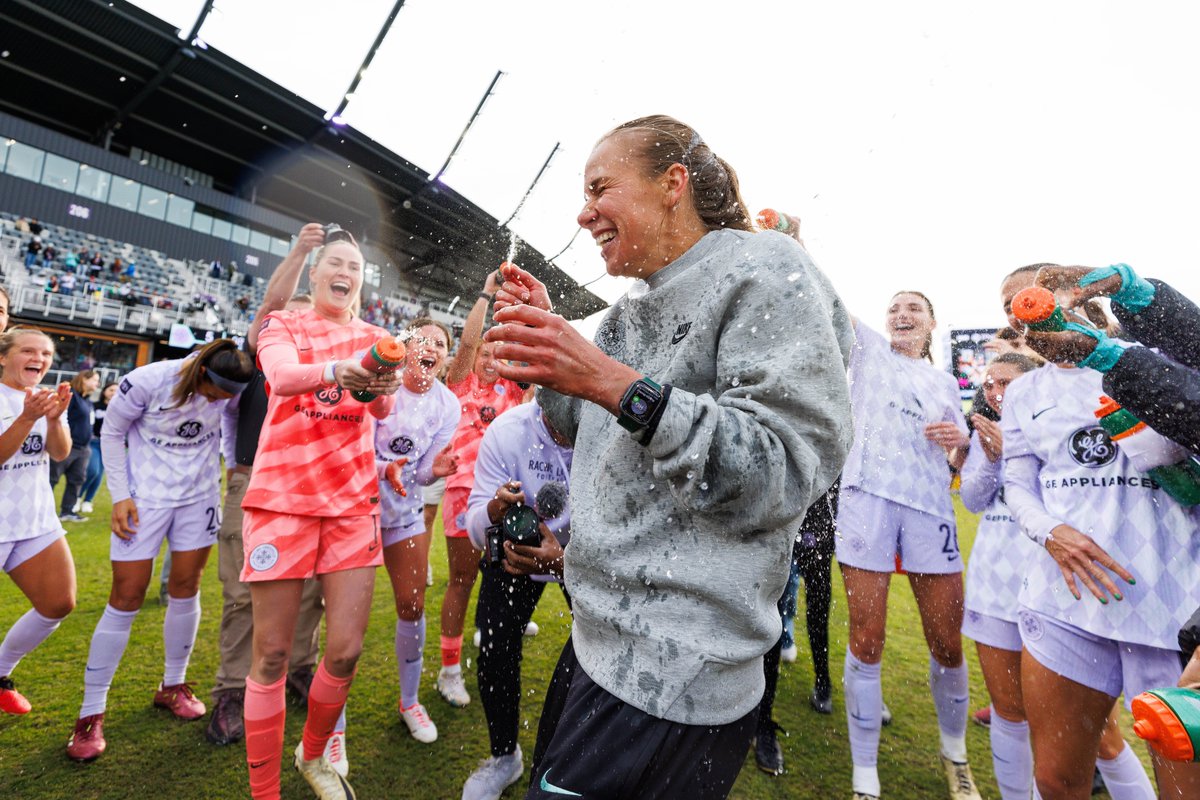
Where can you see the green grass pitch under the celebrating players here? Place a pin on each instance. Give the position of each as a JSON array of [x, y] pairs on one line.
[[152, 755]]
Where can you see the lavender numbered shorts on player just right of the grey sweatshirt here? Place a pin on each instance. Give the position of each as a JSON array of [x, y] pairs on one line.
[[873, 532]]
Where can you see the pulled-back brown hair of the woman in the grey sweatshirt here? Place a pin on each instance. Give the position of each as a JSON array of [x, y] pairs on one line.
[[712, 182]]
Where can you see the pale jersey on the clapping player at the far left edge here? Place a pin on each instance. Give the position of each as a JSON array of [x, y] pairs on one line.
[[26, 496]]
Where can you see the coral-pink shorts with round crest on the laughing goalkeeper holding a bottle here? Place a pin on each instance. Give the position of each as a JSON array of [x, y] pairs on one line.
[[284, 546]]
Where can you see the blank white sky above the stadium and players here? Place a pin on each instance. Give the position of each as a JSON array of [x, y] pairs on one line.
[[926, 146]]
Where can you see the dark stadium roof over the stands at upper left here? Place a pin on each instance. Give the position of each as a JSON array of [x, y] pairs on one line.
[[118, 77]]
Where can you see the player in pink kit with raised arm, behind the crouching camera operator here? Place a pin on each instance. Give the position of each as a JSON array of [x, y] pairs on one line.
[[483, 396]]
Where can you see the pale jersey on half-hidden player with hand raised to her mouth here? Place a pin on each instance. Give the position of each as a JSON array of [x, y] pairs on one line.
[[1003, 554]]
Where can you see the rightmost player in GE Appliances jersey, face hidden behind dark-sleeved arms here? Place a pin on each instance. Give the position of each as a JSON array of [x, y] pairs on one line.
[[1100, 618]]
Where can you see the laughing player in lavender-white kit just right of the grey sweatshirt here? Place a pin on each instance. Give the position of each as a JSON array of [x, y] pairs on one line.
[[895, 510]]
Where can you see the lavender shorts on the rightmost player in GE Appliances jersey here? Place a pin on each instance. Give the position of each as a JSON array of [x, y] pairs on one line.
[[1102, 665]]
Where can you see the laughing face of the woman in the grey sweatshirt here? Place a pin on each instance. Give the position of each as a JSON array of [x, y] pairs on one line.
[[625, 209]]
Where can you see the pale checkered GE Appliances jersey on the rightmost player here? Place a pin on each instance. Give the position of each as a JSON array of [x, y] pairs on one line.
[[1089, 484]]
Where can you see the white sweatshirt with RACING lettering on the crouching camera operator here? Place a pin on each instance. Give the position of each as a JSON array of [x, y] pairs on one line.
[[519, 447]]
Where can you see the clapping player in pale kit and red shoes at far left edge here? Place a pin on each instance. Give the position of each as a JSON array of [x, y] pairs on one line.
[[33, 549]]
